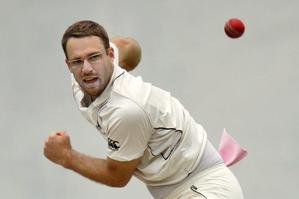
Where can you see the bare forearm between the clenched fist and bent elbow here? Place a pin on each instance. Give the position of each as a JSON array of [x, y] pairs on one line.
[[95, 169]]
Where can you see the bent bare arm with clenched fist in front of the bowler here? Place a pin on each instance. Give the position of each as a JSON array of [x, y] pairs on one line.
[[106, 171]]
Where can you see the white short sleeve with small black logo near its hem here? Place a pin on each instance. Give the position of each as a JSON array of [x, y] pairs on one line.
[[129, 133]]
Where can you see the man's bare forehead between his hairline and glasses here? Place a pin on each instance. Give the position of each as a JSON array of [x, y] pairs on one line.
[[80, 47]]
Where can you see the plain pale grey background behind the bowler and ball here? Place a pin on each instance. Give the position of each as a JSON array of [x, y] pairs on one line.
[[248, 85]]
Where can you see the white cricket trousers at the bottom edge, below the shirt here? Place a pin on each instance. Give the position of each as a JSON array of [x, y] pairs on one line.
[[217, 182]]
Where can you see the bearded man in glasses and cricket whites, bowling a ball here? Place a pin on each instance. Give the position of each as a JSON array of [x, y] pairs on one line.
[[149, 133]]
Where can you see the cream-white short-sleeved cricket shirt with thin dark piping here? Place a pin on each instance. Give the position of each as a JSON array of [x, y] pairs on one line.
[[138, 119]]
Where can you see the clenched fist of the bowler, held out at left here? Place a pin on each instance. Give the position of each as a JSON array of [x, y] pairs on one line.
[[58, 148]]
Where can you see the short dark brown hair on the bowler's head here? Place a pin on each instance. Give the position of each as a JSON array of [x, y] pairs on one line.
[[83, 29]]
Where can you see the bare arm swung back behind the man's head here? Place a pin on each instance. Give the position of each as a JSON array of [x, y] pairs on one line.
[[129, 52]]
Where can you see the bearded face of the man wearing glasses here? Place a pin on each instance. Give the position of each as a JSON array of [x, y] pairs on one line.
[[90, 63]]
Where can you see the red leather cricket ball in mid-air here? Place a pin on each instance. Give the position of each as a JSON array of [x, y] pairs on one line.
[[234, 28]]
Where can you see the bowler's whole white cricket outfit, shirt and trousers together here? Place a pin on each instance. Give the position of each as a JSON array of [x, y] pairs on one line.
[[141, 120]]
